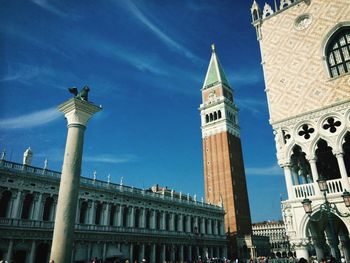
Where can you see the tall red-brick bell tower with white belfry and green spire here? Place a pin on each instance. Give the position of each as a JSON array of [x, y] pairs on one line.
[[224, 175]]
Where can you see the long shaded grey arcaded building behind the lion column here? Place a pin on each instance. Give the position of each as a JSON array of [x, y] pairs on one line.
[[113, 221]]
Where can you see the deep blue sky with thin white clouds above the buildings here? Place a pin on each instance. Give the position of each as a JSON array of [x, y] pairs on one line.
[[145, 62]]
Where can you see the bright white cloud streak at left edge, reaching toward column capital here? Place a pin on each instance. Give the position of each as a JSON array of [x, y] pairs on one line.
[[30, 120]]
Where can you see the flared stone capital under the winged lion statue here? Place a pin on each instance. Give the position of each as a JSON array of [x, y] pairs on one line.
[[78, 112]]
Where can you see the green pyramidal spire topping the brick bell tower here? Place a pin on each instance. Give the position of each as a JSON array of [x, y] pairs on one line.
[[215, 73]]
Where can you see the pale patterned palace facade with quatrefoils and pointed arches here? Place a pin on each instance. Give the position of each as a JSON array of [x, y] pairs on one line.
[[305, 54]]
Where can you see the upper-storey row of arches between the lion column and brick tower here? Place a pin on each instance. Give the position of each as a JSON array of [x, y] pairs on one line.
[[99, 213]]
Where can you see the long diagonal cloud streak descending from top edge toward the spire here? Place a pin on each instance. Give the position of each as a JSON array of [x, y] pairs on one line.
[[166, 39]]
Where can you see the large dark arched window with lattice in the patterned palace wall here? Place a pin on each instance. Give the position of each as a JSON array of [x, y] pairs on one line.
[[338, 52]]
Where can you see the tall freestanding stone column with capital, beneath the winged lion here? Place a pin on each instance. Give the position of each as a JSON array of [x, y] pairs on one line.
[[77, 113]]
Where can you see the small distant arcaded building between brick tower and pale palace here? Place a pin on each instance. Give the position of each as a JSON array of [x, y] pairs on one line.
[[278, 240]]
